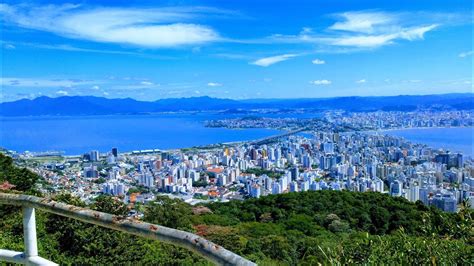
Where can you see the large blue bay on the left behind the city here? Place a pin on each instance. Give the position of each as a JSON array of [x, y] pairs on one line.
[[77, 135]]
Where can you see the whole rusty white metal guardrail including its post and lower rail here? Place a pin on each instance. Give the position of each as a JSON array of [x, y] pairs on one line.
[[205, 248]]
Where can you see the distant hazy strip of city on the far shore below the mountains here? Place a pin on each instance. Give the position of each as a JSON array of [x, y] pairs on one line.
[[340, 121]]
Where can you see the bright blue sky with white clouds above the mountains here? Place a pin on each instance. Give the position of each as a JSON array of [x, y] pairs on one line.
[[235, 49]]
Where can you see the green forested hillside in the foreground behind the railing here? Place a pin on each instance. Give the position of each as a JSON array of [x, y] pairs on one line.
[[327, 227]]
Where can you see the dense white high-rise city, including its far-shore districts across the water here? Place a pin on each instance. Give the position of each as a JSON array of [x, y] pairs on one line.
[[329, 159]]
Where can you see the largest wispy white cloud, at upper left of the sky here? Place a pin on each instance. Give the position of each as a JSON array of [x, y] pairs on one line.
[[152, 27]]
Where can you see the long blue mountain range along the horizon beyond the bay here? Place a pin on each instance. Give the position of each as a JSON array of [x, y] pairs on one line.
[[90, 105]]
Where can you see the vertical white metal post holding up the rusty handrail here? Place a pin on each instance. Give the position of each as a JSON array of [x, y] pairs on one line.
[[29, 233]]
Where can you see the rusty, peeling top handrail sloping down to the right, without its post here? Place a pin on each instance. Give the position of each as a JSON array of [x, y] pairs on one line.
[[206, 248]]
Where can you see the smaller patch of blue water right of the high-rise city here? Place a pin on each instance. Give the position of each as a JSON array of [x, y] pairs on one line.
[[452, 139]]
